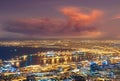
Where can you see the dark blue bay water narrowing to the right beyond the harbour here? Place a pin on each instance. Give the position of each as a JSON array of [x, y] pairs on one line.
[[9, 52]]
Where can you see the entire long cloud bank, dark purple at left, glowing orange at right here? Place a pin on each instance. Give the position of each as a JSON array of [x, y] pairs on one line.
[[76, 24]]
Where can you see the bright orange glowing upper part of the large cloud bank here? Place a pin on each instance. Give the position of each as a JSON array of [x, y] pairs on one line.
[[77, 16]]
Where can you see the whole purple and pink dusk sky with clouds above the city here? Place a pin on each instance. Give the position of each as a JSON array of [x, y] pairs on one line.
[[25, 19]]
